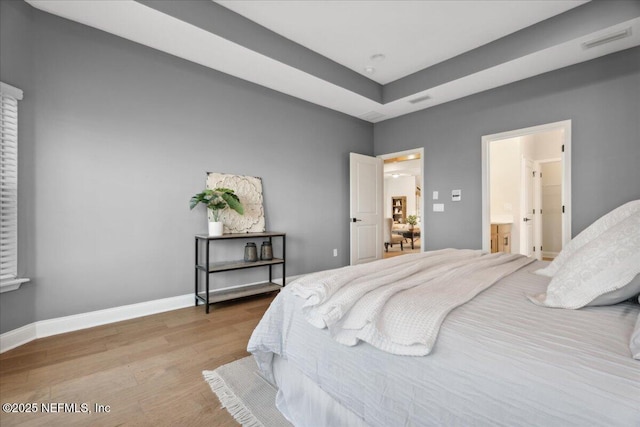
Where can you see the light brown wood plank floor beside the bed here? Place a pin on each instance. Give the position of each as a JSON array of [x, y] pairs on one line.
[[147, 370]]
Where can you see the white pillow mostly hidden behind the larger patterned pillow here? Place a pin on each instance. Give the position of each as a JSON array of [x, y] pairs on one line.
[[588, 234]]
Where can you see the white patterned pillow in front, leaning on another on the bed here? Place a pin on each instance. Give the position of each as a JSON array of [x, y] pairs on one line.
[[603, 265]]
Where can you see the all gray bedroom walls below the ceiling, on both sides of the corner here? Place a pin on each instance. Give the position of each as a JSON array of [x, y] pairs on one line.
[[115, 138]]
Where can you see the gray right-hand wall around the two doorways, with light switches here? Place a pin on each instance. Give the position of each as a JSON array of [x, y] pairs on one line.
[[601, 97]]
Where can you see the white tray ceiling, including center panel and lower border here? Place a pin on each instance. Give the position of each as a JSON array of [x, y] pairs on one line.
[[413, 35]]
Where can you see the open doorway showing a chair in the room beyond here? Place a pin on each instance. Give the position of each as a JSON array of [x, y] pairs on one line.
[[403, 203]]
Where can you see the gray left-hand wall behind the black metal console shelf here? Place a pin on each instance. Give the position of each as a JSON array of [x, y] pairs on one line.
[[114, 140]]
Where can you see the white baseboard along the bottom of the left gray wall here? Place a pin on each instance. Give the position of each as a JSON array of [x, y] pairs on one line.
[[76, 322]]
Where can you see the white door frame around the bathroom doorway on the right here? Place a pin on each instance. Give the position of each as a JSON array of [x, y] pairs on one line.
[[565, 126]]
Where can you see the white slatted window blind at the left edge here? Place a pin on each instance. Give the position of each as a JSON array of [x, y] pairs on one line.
[[9, 97]]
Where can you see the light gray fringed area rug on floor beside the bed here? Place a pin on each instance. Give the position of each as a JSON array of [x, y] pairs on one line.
[[248, 397]]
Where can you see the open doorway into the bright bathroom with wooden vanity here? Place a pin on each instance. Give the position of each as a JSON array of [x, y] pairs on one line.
[[526, 190]]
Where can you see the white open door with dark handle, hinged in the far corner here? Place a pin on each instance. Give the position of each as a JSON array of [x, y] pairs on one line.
[[365, 208]]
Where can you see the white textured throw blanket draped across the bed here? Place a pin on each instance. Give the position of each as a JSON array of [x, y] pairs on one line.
[[398, 305]]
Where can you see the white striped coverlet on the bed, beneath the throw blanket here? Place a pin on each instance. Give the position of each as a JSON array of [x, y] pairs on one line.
[[498, 360]]
